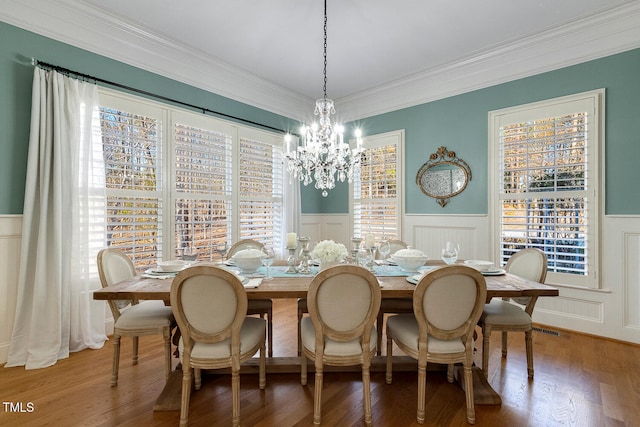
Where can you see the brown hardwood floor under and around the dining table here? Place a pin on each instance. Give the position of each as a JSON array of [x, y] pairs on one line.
[[579, 381]]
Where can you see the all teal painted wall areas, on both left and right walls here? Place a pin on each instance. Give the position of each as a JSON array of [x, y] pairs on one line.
[[459, 122]]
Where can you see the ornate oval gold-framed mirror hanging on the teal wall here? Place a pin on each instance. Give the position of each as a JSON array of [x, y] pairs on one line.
[[443, 176]]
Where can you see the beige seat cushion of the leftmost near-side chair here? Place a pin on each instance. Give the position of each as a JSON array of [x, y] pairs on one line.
[[251, 334]]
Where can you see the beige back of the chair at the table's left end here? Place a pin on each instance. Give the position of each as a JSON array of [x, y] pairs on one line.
[[115, 266]]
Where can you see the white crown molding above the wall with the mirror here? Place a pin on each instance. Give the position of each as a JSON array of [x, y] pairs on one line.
[[615, 31]]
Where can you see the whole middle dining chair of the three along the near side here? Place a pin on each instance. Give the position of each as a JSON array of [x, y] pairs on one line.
[[339, 331]]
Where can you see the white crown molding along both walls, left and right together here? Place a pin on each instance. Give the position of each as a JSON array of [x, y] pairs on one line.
[[614, 31]]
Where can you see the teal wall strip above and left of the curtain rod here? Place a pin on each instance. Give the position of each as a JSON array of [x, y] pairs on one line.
[[17, 46]]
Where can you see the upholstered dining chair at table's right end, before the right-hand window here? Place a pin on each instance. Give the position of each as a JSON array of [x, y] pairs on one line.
[[502, 315]]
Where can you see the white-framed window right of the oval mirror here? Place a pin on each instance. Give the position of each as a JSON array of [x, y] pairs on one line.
[[547, 181]]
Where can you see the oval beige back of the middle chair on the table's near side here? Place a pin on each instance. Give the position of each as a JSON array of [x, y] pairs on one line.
[[343, 303]]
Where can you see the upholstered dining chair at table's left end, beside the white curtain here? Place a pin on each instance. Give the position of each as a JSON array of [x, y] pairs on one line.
[[131, 318]]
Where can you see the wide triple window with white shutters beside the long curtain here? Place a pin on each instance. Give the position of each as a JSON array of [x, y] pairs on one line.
[[178, 179]]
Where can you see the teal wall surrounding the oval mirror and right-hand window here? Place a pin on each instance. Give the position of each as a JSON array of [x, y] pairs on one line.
[[460, 123]]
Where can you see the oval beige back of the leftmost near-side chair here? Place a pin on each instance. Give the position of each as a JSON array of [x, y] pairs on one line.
[[209, 304]]
